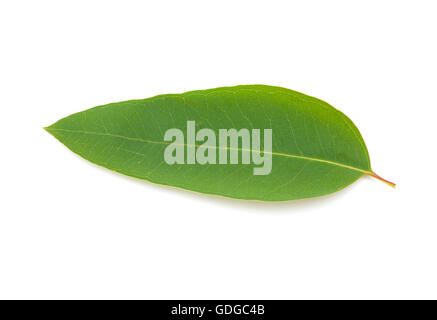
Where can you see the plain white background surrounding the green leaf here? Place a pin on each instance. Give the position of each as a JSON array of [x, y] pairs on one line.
[[70, 229]]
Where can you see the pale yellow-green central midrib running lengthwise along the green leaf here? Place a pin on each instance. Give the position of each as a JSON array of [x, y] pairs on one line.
[[215, 147]]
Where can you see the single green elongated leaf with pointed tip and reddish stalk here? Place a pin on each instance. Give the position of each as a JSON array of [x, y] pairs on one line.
[[316, 149]]
